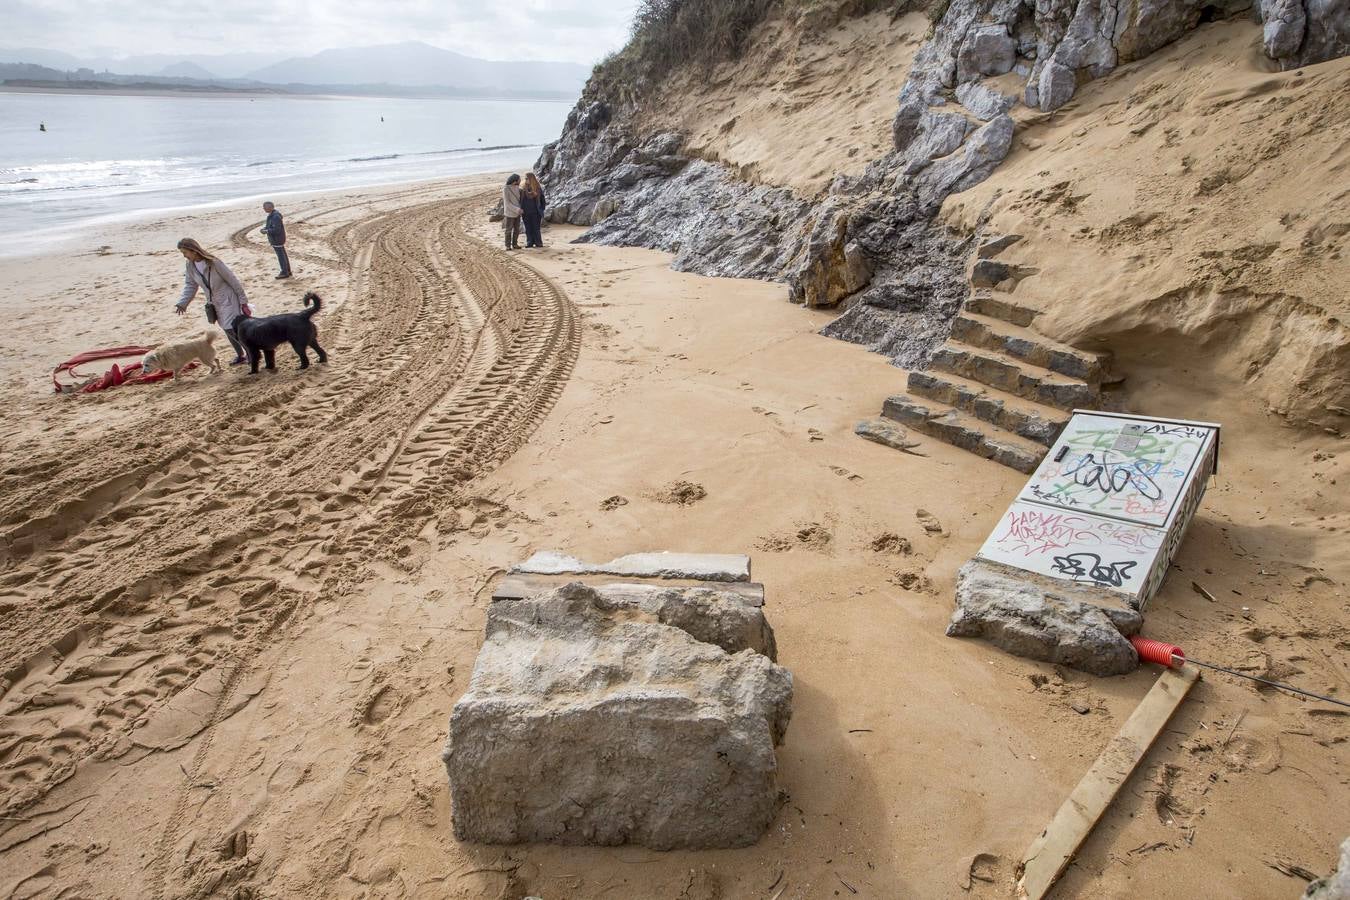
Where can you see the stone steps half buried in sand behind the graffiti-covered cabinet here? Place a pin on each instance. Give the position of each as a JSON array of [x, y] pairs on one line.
[[1000, 389]]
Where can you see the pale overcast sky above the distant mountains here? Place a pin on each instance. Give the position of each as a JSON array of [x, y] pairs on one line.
[[568, 30]]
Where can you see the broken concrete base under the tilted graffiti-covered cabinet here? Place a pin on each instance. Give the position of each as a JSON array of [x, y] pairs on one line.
[[1082, 627]]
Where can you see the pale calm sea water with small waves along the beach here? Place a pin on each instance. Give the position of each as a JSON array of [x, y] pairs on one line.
[[107, 159]]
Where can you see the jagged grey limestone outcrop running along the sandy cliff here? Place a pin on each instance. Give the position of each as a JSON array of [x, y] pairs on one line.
[[870, 245]]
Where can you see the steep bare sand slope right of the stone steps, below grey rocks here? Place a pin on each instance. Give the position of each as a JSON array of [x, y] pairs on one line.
[[1193, 211]]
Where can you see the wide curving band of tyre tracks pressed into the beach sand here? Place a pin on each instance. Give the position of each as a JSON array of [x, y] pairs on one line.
[[446, 357]]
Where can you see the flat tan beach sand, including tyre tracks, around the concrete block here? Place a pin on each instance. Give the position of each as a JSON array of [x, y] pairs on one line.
[[237, 612]]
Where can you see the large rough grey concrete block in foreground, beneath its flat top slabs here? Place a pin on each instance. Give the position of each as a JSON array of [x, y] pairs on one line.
[[591, 721]]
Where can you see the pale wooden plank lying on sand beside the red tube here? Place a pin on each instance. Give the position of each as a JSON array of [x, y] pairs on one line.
[[1051, 853]]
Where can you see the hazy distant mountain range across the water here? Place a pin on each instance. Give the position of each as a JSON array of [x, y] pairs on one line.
[[412, 67]]
